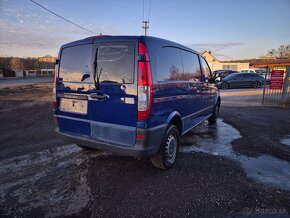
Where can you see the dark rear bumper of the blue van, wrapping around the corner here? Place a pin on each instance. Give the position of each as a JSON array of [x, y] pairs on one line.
[[144, 147]]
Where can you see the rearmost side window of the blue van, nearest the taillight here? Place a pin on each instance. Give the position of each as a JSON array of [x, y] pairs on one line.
[[169, 64]]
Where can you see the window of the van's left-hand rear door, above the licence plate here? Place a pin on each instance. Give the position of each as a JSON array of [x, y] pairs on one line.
[[75, 62]]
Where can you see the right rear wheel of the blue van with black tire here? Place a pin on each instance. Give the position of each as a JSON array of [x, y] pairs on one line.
[[167, 154]]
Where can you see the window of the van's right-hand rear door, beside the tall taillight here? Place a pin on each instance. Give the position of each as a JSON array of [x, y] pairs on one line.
[[116, 62]]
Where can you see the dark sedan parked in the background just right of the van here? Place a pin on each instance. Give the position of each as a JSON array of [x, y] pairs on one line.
[[239, 80]]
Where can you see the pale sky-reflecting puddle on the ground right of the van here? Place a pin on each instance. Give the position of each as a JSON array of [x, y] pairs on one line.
[[216, 140]]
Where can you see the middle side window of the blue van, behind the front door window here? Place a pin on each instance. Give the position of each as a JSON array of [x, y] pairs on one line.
[[191, 66]]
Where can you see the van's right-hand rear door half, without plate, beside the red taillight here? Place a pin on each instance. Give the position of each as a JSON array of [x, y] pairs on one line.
[[113, 102]]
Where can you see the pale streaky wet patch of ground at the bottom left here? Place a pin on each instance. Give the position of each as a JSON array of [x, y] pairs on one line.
[[54, 180]]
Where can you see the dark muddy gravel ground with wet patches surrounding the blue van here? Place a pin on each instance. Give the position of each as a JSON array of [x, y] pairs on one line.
[[238, 168]]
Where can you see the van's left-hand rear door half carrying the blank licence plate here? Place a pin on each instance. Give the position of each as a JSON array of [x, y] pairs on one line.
[[72, 88]]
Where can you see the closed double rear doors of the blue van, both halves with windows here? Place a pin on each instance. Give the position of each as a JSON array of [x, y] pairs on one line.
[[104, 109]]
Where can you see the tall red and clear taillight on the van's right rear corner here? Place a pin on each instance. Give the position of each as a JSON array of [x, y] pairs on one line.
[[144, 85]]
